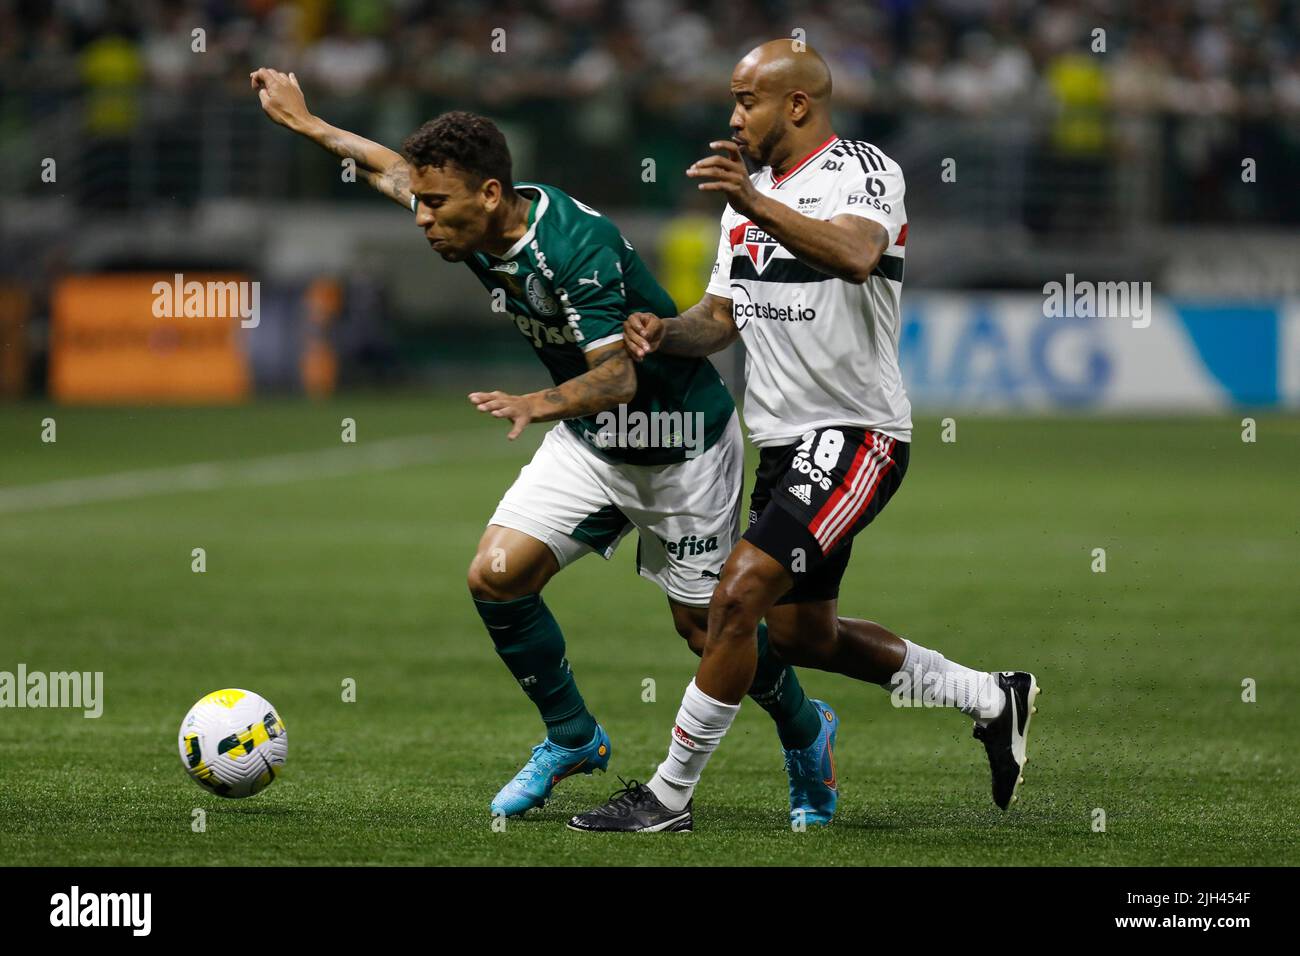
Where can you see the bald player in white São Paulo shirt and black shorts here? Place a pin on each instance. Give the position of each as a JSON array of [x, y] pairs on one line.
[[809, 274]]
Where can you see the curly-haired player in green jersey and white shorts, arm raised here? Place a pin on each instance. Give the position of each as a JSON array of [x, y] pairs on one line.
[[656, 447]]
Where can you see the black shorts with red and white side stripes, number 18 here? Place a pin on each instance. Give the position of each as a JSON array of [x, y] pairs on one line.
[[813, 498]]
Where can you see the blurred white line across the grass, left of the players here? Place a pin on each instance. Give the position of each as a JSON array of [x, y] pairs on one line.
[[268, 470]]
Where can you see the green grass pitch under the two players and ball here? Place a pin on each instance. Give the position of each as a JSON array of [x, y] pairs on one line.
[[315, 577]]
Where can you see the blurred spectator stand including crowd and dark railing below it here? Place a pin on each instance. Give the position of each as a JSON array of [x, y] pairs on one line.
[[1065, 111]]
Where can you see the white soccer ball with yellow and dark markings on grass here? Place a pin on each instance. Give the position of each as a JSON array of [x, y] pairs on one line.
[[233, 743]]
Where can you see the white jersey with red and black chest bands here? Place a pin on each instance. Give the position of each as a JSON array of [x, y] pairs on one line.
[[821, 351]]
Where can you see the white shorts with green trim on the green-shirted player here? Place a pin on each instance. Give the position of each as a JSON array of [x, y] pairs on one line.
[[687, 514]]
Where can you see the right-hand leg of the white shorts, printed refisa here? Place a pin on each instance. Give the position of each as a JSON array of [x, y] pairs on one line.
[[687, 517]]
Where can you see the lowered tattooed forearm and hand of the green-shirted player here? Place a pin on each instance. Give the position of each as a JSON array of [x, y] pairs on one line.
[[610, 380]]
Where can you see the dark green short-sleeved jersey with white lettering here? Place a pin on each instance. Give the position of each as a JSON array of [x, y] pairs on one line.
[[570, 283]]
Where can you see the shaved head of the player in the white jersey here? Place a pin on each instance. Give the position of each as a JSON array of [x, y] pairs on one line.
[[783, 102]]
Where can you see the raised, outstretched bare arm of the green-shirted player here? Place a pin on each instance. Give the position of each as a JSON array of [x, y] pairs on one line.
[[284, 102]]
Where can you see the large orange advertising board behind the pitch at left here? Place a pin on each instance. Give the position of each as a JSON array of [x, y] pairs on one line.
[[149, 338]]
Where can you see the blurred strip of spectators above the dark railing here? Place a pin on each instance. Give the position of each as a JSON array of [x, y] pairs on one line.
[[1217, 58]]
